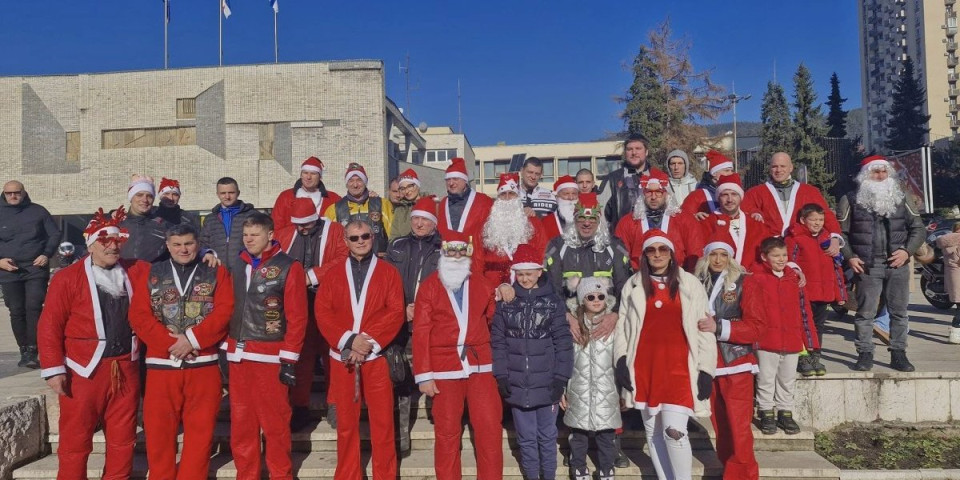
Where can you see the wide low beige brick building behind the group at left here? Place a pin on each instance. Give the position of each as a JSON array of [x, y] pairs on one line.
[[74, 140]]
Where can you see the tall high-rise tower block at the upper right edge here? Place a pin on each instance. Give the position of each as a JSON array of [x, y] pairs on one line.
[[925, 31]]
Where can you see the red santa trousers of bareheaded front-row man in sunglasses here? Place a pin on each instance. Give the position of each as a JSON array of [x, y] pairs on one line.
[[376, 390]]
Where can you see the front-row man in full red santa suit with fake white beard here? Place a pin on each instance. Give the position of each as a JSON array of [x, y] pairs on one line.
[[453, 362]]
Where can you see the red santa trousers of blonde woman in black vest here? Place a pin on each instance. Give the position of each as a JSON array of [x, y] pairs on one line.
[[732, 404]]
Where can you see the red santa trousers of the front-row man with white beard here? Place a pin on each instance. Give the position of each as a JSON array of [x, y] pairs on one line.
[[479, 393]]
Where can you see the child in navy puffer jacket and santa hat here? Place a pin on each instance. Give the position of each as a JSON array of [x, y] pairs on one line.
[[532, 361]]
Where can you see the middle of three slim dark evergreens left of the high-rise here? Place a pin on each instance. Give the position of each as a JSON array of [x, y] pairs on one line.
[[809, 128]]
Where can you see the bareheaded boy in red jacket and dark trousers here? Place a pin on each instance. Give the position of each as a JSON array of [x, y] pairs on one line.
[[825, 283]]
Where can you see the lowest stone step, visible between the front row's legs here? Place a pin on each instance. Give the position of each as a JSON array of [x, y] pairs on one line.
[[321, 465]]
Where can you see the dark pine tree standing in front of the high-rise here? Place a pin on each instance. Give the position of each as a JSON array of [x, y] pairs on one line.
[[907, 123]]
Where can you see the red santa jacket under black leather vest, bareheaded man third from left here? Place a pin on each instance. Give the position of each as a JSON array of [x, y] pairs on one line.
[[294, 311]]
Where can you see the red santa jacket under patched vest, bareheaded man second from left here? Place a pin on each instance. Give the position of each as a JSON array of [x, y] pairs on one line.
[[205, 337]]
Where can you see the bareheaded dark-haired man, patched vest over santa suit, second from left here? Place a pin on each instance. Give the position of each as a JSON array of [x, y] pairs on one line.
[[181, 311]]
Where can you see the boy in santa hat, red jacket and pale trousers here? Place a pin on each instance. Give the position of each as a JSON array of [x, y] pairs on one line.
[[773, 294]]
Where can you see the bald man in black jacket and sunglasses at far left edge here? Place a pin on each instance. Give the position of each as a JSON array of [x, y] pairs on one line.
[[28, 238]]
